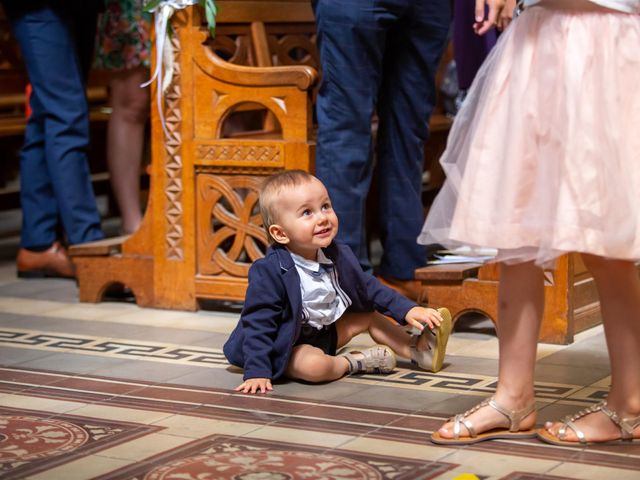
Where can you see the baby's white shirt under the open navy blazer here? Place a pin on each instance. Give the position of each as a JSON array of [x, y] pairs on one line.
[[323, 301]]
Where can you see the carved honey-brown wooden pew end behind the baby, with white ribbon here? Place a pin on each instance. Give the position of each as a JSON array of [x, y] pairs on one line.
[[202, 229]]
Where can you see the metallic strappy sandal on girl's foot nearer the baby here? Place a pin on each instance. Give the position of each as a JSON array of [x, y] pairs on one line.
[[514, 416]]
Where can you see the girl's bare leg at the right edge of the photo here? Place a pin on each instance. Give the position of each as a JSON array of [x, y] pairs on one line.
[[619, 291]]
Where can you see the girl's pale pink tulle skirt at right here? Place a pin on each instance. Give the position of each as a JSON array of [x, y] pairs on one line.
[[544, 156]]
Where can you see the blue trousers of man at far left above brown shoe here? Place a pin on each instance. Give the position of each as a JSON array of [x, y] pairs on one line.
[[56, 44]]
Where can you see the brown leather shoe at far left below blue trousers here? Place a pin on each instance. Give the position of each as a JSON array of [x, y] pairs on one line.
[[53, 262]]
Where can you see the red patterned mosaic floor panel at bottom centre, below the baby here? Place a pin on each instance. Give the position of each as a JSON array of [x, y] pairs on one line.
[[228, 457]]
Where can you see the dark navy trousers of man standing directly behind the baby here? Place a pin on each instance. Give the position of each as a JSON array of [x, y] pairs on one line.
[[378, 55]]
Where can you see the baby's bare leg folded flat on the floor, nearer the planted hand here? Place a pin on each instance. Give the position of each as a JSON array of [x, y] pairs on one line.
[[313, 365]]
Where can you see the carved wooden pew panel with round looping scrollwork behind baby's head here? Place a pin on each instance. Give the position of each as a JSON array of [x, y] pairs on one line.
[[230, 233]]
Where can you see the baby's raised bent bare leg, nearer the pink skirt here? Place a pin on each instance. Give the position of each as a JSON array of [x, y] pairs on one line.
[[378, 326]]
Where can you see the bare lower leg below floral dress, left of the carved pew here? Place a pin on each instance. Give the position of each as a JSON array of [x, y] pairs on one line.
[[125, 139]]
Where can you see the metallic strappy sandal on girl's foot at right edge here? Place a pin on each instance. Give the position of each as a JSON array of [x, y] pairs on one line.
[[626, 426]]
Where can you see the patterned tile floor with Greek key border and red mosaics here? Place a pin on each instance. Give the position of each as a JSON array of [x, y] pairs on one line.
[[112, 391]]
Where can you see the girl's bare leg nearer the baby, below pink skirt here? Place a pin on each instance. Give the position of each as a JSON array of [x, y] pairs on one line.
[[520, 307]]
